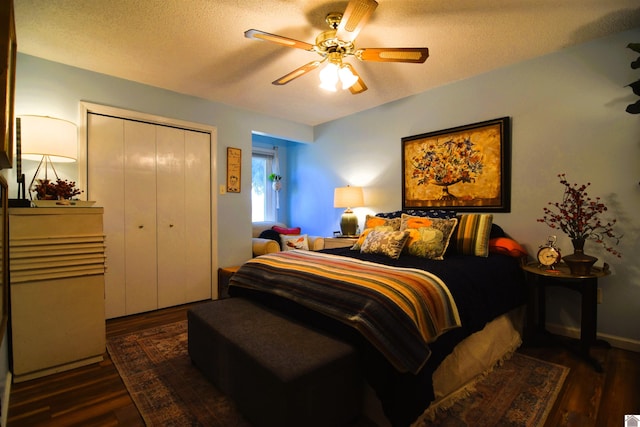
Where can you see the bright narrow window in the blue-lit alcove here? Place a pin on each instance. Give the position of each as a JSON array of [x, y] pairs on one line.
[[263, 206]]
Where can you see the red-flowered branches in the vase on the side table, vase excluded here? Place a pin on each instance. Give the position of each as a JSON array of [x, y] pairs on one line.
[[578, 215]]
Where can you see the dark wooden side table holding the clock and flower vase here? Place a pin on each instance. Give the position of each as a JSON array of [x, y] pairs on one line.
[[539, 278]]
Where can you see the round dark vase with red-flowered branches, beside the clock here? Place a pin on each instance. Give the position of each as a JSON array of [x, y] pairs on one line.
[[580, 217]]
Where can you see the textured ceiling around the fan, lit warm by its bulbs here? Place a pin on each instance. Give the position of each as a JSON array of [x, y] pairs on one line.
[[197, 47]]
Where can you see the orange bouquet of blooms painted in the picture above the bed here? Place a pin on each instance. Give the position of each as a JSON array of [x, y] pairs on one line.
[[447, 162]]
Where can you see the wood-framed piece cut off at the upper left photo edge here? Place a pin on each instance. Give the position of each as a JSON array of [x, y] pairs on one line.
[[7, 86]]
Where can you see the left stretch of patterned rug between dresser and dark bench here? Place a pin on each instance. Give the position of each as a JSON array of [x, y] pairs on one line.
[[167, 389]]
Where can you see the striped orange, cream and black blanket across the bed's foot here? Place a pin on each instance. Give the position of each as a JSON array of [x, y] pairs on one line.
[[399, 310]]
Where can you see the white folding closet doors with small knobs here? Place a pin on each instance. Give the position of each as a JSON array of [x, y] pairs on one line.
[[154, 183]]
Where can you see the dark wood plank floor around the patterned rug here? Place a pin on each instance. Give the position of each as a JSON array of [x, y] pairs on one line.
[[95, 395]]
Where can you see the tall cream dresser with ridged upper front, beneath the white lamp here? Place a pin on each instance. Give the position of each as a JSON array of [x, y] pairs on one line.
[[57, 266]]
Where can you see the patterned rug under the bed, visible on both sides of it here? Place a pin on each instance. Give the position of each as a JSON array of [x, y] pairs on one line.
[[169, 390]]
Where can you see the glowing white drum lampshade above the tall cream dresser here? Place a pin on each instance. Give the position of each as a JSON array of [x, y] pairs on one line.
[[46, 136]]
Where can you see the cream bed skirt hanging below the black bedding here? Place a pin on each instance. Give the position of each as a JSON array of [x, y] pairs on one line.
[[470, 361]]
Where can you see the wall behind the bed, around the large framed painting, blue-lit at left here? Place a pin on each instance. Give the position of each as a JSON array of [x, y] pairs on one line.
[[568, 116]]
